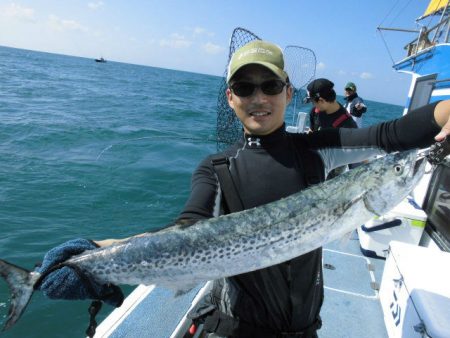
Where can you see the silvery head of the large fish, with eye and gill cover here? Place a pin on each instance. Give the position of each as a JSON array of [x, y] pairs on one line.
[[393, 177]]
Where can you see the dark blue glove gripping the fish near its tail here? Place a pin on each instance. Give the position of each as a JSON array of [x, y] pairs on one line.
[[67, 283]]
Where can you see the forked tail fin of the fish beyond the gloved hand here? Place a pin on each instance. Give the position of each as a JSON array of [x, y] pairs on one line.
[[21, 284]]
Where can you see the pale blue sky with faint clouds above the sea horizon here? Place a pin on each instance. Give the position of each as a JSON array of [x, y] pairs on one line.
[[194, 35]]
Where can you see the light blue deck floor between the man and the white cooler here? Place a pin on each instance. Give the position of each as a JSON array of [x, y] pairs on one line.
[[351, 307]]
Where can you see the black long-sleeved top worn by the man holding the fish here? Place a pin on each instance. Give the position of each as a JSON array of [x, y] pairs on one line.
[[287, 297]]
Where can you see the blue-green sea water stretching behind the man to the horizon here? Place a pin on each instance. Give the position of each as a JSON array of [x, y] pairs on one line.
[[96, 150]]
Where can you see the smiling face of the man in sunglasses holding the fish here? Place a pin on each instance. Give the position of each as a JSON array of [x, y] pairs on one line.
[[260, 113]]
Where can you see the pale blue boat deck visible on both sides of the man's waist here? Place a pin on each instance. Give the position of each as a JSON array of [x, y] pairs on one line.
[[351, 306]]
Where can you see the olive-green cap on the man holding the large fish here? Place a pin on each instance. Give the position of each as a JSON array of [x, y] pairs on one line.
[[258, 52]]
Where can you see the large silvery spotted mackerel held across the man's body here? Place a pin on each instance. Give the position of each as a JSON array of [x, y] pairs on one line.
[[179, 258]]
